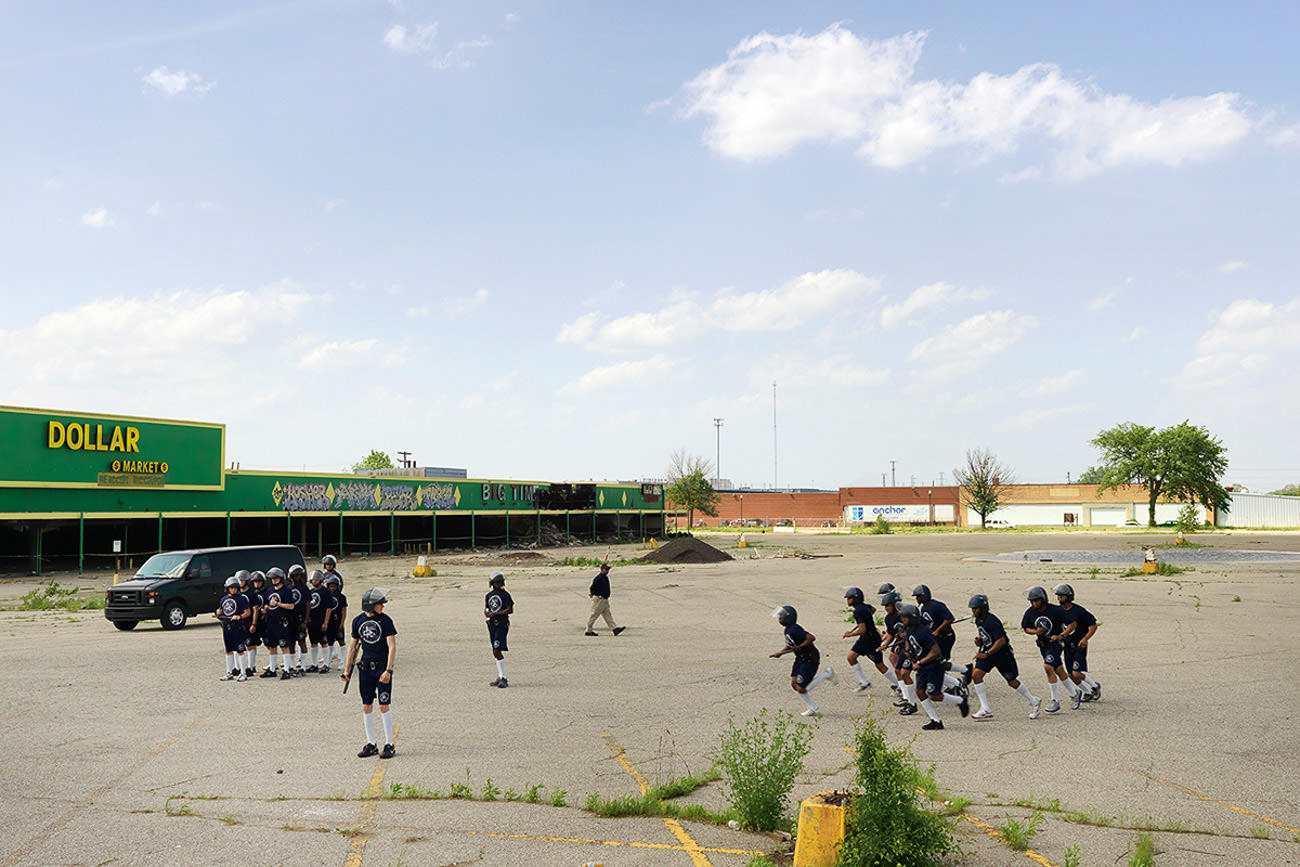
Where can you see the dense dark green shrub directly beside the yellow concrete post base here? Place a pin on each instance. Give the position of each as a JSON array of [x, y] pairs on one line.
[[886, 825]]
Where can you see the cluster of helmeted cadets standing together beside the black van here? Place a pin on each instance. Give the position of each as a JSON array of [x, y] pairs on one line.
[[300, 619]]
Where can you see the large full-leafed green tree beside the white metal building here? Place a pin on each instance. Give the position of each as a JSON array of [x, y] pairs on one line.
[[1180, 463]]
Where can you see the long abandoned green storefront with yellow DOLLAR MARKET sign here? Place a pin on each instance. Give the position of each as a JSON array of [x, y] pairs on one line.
[[81, 491]]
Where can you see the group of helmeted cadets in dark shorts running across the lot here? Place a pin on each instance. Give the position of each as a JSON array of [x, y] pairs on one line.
[[915, 656]]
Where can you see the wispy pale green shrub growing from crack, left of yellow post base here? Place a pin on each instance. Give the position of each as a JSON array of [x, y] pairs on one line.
[[760, 762]]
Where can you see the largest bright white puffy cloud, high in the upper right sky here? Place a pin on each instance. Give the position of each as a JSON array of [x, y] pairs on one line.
[[775, 93]]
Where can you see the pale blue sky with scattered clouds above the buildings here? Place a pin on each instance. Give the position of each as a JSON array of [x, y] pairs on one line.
[[553, 241]]
